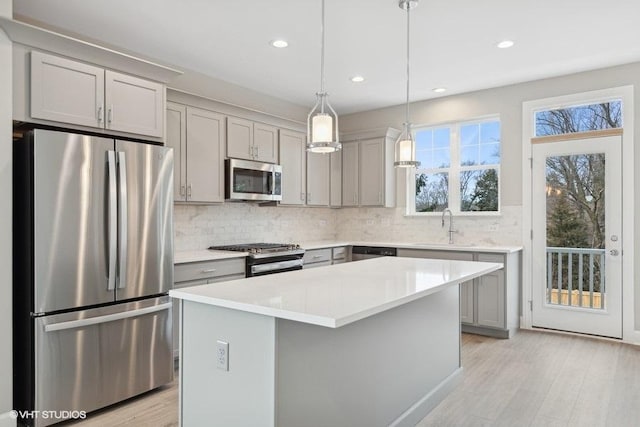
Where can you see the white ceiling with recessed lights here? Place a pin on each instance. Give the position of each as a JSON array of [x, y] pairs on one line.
[[453, 41]]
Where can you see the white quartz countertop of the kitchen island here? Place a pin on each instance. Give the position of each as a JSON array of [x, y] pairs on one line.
[[337, 295]]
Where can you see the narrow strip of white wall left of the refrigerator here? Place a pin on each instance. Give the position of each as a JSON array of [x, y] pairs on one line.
[[6, 366]]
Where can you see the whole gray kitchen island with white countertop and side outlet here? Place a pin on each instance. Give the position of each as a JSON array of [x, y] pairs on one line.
[[371, 343]]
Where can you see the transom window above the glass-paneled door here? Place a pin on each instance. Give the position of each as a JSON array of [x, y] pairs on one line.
[[579, 118]]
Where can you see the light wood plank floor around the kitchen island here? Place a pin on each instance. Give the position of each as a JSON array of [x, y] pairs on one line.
[[533, 379]]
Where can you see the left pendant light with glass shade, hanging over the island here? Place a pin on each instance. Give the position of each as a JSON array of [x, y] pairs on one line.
[[322, 121]]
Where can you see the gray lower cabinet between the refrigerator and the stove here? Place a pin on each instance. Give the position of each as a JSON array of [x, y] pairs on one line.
[[202, 273]]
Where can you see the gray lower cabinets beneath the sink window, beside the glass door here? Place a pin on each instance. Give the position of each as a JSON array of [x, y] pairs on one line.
[[488, 304]]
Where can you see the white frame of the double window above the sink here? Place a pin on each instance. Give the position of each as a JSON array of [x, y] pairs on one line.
[[454, 170]]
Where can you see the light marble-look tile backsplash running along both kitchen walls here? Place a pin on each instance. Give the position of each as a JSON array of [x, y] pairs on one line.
[[198, 227]]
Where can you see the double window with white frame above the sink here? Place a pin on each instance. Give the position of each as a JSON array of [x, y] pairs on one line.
[[459, 168]]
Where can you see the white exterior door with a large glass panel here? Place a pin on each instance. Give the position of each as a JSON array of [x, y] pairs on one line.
[[577, 236]]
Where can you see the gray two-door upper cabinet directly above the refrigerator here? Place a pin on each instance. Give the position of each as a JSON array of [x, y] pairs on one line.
[[72, 92]]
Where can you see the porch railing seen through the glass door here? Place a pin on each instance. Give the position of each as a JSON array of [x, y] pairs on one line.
[[575, 277]]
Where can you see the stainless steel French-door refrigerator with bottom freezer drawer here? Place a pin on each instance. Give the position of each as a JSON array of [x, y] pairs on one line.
[[93, 262]]
